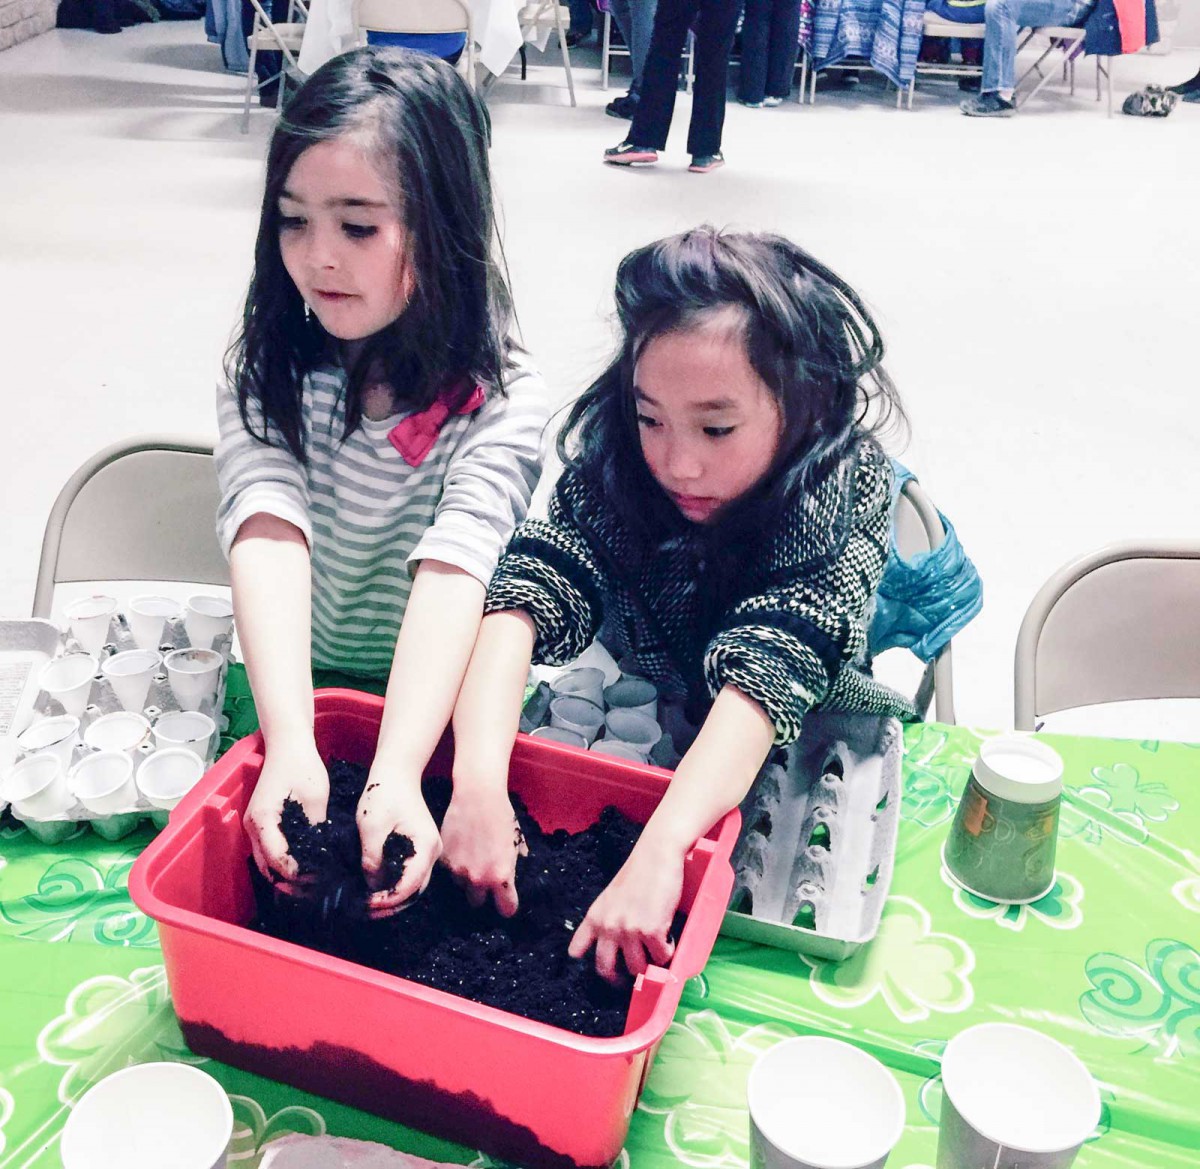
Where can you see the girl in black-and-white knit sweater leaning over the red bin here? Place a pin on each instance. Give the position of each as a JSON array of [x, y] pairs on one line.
[[724, 514]]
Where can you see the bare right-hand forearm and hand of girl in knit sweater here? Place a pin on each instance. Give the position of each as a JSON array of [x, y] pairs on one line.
[[634, 914]]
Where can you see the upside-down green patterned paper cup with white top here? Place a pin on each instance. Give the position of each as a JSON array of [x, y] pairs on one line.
[[1001, 846]]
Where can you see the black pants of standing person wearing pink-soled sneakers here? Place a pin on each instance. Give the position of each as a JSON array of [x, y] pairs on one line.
[[716, 26]]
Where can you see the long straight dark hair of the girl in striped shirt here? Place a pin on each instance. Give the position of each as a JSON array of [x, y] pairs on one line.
[[415, 112]]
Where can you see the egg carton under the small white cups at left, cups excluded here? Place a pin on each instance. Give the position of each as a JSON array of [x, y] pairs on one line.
[[27, 646]]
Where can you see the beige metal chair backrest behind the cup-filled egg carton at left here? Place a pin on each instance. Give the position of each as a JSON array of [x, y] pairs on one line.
[[140, 511]]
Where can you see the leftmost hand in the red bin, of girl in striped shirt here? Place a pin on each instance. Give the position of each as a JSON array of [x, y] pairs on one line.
[[291, 771]]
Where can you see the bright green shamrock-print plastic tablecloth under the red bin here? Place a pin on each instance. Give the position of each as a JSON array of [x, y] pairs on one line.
[[1108, 963]]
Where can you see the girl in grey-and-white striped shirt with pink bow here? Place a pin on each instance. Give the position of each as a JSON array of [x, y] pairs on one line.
[[380, 435]]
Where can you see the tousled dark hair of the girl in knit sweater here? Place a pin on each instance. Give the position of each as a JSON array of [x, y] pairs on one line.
[[807, 334]]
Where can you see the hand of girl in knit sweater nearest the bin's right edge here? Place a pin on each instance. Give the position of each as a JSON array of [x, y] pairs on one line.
[[633, 916]]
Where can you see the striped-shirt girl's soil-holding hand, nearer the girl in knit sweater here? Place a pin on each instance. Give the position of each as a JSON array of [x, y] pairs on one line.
[[397, 806]]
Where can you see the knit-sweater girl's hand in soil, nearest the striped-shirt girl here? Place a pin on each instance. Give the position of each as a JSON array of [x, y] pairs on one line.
[[482, 842]]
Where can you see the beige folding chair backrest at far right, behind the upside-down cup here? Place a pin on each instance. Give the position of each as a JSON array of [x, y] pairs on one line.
[[1117, 626]]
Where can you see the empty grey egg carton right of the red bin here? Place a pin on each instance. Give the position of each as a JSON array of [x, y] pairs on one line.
[[818, 849]]
